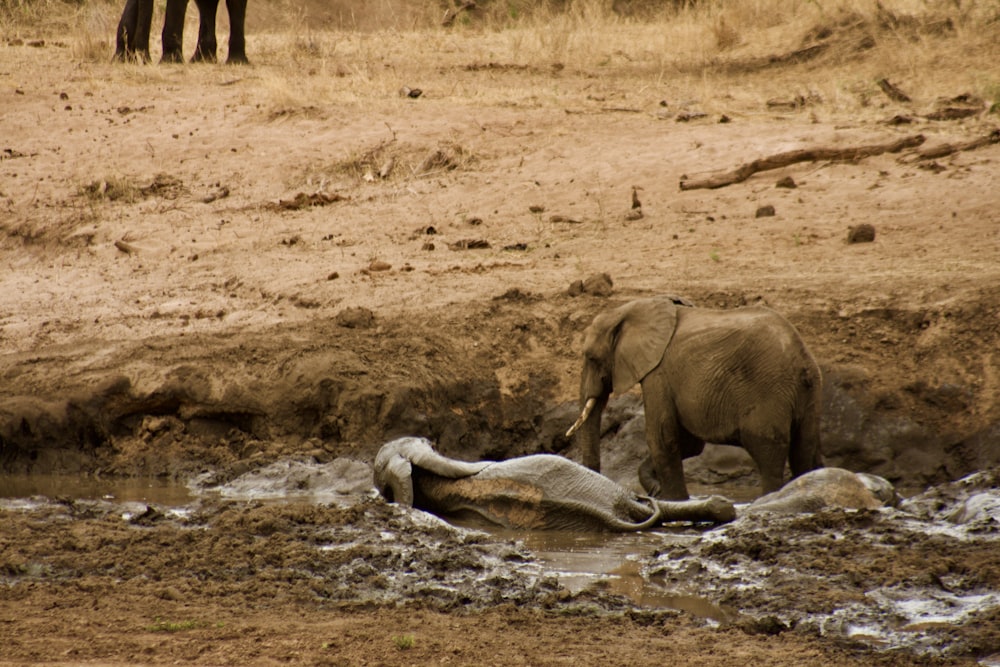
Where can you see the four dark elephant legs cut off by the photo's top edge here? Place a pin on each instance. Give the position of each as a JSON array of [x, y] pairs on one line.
[[132, 41]]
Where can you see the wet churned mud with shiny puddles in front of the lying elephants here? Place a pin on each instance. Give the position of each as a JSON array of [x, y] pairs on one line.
[[921, 581]]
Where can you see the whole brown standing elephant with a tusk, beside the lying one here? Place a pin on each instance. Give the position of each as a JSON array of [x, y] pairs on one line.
[[737, 377]]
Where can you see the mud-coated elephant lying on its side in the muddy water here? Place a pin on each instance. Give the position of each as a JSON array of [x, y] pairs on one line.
[[540, 492]]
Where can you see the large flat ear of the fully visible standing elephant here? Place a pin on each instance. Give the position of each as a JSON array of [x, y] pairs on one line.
[[647, 325]]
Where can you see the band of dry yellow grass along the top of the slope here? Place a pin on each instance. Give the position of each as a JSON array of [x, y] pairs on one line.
[[726, 54]]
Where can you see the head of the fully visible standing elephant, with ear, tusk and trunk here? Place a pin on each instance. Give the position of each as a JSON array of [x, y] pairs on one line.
[[621, 347]]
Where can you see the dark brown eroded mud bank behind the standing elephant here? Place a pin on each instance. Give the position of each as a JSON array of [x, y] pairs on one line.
[[170, 405]]
